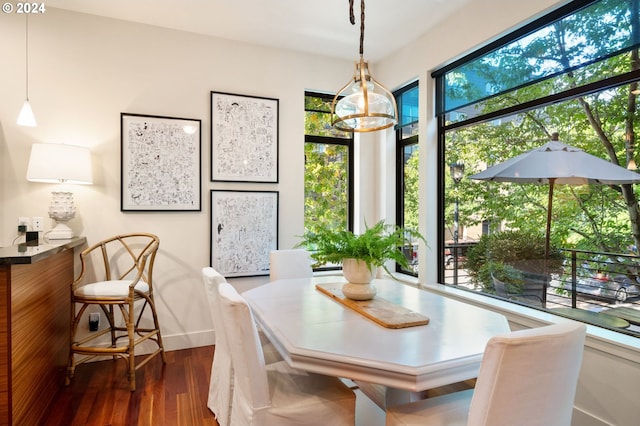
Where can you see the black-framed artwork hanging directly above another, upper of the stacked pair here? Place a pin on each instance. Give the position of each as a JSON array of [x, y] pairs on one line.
[[244, 138]]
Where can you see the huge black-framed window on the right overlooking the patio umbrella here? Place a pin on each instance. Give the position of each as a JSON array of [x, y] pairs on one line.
[[574, 72]]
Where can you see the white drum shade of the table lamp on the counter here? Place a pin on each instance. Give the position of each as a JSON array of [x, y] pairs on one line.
[[56, 163]]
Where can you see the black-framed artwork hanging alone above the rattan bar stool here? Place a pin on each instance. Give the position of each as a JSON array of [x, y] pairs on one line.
[[160, 163]]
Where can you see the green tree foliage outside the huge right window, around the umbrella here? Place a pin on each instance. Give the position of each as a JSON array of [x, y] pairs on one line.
[[590, 217]]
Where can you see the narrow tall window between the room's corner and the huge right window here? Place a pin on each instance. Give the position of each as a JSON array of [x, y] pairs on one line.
[[407, 172]]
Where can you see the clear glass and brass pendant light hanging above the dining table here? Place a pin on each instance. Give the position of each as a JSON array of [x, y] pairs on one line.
[[363, 104]]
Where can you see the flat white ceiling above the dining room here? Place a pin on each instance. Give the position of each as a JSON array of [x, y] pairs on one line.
[[318, 26]]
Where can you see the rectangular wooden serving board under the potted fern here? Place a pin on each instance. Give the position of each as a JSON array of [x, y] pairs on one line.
[[379, 310]]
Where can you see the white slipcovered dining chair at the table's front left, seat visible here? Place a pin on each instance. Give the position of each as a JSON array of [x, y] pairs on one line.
[[275, 394]]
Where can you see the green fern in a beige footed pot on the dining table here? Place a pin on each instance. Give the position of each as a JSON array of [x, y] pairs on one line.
[[360, 255]]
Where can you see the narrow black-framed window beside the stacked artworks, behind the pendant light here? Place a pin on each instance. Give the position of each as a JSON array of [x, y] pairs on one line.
[[328, 177]]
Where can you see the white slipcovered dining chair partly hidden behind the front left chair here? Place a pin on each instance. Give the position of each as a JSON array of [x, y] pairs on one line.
[[221, 380]]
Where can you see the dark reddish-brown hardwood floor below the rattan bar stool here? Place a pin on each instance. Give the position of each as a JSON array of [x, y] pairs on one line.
[[173, 395]]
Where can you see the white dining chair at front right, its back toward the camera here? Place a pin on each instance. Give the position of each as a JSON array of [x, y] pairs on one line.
[[527, 378]]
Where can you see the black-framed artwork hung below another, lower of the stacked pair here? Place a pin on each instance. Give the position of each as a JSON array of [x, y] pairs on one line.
[[244, 229]]
